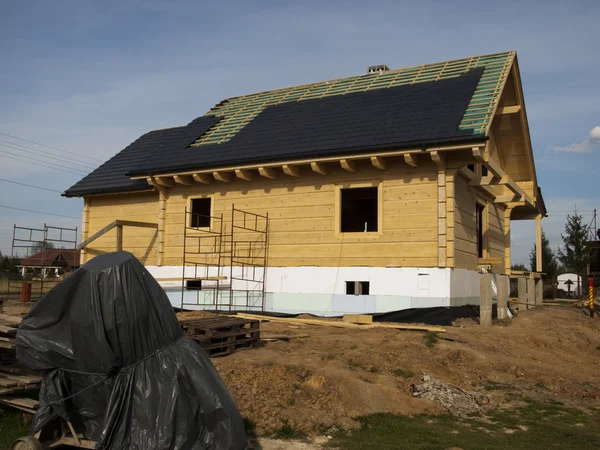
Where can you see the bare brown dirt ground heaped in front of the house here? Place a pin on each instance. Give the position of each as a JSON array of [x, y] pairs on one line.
[[320, 382]]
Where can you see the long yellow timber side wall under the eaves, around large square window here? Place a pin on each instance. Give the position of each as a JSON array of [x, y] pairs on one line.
[[302, 216]]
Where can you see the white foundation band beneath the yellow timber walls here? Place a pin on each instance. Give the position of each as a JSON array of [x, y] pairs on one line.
[[322, 290]]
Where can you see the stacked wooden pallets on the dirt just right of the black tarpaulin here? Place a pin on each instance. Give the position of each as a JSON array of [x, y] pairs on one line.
[[221, 335]]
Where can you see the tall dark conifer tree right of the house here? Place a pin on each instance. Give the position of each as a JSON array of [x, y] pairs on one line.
[[574, 256]]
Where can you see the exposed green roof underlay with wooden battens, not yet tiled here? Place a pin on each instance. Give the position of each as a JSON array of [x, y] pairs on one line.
[[236, 112]]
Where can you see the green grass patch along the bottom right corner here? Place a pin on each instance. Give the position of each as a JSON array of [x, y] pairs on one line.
[[533, 426]]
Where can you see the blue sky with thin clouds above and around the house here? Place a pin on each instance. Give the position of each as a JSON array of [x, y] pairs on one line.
[[89, 77]]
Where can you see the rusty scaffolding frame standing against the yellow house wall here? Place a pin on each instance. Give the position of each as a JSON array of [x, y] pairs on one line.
[[235, 251]]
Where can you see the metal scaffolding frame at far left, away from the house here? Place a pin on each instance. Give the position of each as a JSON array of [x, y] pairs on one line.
[[28, 238]]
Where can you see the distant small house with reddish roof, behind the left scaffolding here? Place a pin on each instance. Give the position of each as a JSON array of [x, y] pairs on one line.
[[50, 263]]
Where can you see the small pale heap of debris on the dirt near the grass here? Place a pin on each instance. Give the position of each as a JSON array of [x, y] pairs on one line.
[[458, 402]]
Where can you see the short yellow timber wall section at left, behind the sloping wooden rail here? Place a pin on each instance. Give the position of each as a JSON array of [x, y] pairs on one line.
[[141, 206]]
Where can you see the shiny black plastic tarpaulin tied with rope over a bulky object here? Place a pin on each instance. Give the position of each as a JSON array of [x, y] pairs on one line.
[[117, 366]]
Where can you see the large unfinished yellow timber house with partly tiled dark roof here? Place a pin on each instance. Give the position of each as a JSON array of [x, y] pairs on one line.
[[383, 191]]
